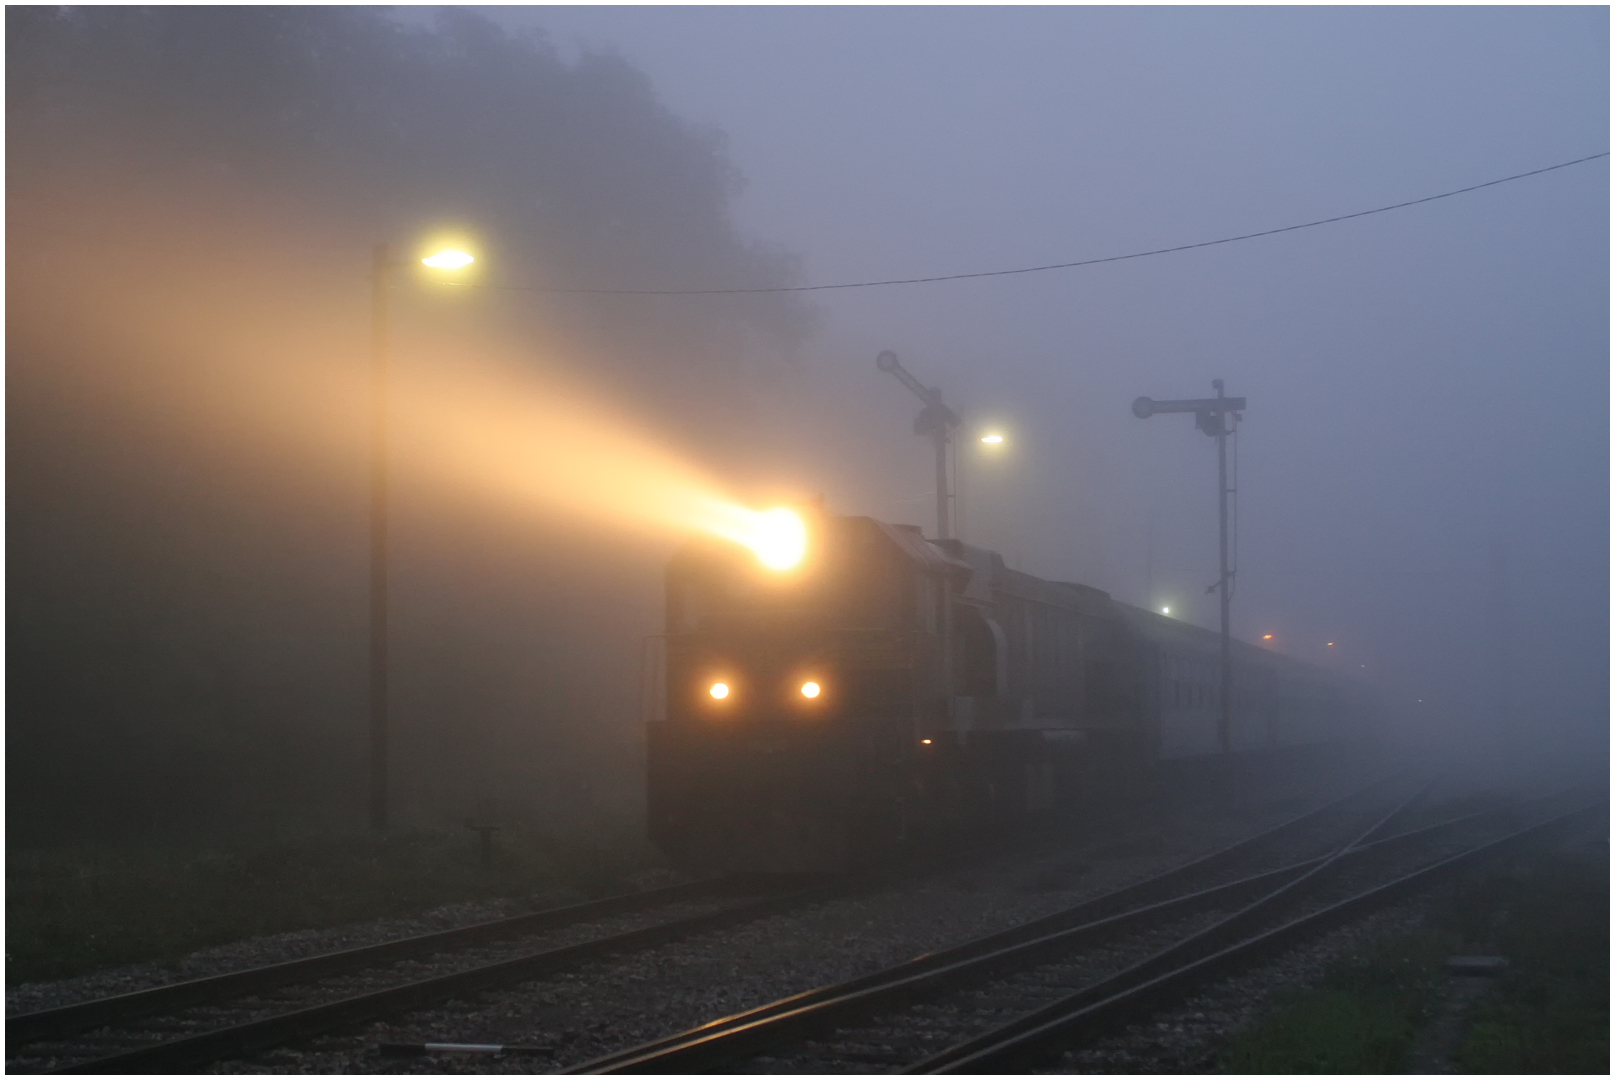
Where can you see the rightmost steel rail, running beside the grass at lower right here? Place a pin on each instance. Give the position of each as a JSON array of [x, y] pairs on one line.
[[1093, 1011]]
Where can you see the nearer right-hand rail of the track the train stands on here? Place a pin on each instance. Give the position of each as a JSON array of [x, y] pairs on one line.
[[256, 1036]]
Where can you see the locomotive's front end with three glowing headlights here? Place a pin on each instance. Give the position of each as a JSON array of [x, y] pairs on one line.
[[791, 706]]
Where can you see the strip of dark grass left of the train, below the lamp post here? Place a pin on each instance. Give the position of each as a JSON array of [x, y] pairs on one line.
[[70, 913]]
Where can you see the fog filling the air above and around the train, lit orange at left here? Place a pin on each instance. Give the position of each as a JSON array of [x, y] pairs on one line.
[[193, 199]]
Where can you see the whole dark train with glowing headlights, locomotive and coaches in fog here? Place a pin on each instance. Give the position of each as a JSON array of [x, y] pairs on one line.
[[824, 711]]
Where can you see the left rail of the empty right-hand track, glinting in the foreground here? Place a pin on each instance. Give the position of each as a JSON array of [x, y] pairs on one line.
[[747, 1032]]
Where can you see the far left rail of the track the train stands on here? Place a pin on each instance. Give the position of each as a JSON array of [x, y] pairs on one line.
[[31, 1028]]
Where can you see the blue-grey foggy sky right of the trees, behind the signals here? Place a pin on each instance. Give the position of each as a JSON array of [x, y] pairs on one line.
[[1428, 388]]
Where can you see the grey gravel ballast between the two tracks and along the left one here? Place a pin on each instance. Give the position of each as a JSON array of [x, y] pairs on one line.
[[618, 1003]]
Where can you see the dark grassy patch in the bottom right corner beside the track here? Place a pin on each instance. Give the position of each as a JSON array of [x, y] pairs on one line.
[[1548, 1015]]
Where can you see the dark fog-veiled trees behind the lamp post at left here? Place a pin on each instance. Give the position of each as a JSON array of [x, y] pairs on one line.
[[187, 613]]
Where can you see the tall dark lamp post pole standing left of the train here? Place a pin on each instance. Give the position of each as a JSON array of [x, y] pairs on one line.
[[382, 264]]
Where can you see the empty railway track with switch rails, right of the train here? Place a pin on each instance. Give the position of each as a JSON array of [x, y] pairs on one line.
[[1007, 1002]]
